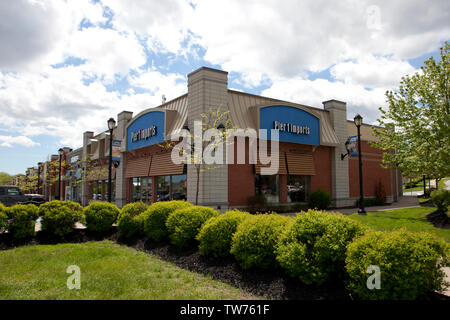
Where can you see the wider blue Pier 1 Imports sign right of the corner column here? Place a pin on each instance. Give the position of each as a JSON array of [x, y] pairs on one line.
[[294, 124]]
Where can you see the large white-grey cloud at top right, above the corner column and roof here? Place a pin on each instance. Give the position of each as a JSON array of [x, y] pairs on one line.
[[287, 38]]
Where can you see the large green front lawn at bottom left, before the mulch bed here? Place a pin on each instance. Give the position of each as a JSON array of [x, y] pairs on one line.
[[108, 271]]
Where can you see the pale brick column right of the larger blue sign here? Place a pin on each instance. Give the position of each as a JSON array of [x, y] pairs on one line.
[[339, 168]]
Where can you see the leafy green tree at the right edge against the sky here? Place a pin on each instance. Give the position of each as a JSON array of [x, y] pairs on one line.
[[417, 139]]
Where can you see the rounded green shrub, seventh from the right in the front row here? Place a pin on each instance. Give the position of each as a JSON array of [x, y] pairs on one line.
[[130, 221]]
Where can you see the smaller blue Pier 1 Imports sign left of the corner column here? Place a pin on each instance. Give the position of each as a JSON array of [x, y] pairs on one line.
[[146, 130]]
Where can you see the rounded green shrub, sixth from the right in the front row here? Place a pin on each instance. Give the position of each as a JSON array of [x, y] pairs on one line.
[[156, 216]]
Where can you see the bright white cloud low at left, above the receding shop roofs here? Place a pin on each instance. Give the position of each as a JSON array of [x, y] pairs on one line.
[[58, 103]]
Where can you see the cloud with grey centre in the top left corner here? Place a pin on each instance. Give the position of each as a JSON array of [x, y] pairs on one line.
[[37, 33]]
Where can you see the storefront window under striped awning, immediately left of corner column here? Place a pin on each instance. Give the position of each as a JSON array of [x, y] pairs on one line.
[[171, 187]]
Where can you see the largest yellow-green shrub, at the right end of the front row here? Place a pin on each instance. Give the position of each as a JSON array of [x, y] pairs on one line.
[[410, 264]]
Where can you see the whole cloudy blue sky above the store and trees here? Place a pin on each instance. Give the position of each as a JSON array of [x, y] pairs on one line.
[[68, 66]]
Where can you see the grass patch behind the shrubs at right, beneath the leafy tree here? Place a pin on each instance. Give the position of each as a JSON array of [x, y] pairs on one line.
[[413, 219]]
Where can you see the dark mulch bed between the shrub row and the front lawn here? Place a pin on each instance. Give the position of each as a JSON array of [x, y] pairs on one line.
[[273, 284]]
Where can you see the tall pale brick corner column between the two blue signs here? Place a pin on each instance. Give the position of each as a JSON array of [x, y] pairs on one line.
[[207, 88]]
